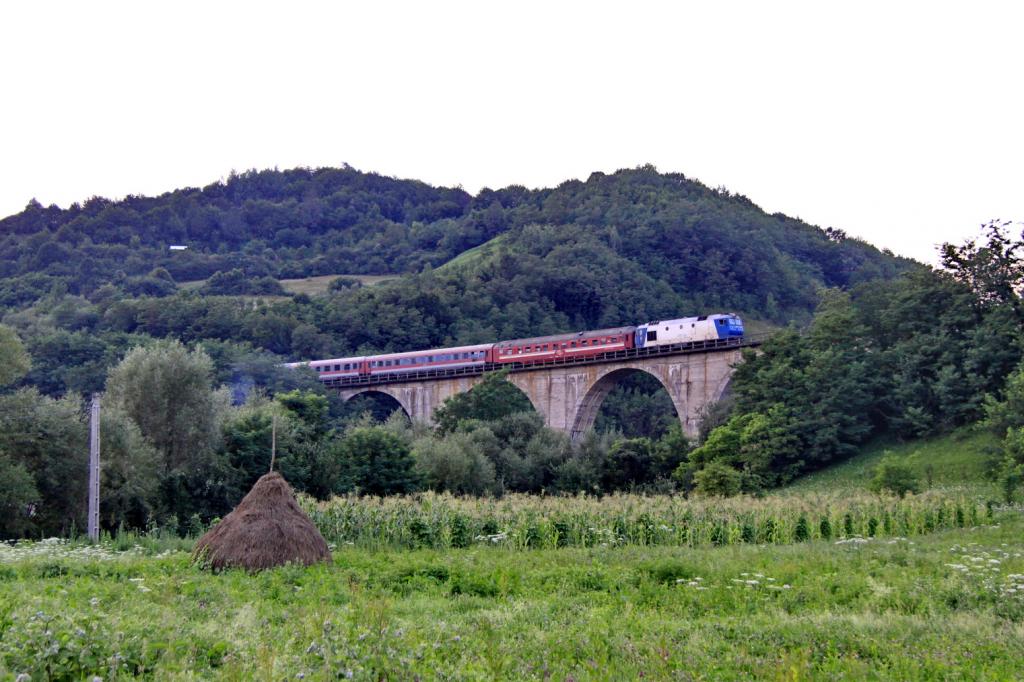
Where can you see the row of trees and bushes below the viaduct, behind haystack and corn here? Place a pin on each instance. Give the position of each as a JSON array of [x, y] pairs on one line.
[[179, 452]]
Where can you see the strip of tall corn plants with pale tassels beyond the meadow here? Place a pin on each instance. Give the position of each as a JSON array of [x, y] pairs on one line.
[[524, 522]]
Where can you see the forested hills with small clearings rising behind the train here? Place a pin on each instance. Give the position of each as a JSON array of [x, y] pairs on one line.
[[82, 284]]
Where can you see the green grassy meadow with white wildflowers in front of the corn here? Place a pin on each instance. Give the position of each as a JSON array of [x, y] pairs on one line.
[[950, 606]]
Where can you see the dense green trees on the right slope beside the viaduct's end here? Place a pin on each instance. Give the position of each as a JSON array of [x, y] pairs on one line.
[[925, 354]]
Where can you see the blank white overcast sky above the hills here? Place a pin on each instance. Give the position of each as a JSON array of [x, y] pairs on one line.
[[899, 122]]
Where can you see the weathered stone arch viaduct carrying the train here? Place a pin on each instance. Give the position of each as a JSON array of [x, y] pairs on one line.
[[569, 397]]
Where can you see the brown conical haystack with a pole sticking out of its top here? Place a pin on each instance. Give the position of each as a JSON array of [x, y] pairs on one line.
[[268, 529]]
